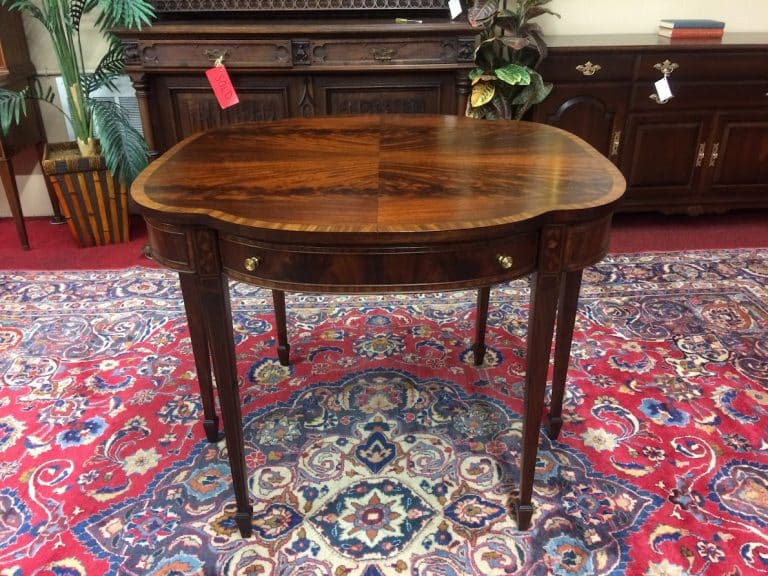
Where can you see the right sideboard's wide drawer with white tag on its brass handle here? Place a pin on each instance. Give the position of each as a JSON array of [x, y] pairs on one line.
[[705, 65]]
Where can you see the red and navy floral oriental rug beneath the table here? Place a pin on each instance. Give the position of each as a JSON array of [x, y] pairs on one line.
[[382, 449]]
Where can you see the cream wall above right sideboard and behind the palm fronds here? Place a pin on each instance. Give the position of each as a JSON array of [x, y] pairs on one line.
[[577, 17]]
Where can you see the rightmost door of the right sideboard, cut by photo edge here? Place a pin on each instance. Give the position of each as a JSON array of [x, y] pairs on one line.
[[737, 162]]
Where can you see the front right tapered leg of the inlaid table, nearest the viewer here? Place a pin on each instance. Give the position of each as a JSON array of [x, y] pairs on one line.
[[544, 291]]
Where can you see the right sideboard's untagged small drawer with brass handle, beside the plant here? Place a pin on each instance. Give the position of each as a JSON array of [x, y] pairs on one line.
[[583, 67]]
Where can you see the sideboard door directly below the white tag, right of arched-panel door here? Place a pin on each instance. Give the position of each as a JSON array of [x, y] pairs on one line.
[[663, 158]]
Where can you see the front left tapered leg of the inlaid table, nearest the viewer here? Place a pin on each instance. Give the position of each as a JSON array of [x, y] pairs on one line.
[[214, 296]]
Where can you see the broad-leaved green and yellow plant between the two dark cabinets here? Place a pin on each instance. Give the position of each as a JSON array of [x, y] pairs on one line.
[[505, 83]]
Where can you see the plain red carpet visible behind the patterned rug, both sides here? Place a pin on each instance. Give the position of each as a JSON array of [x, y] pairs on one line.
[[52, 248]]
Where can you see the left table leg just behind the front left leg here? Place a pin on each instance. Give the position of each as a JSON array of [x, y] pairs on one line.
[[201, 351]]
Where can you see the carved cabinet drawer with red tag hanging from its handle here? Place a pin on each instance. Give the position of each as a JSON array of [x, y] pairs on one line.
[[201, 55]]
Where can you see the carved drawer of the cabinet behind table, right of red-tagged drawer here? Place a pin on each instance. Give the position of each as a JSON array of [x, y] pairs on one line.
[[351, 52]]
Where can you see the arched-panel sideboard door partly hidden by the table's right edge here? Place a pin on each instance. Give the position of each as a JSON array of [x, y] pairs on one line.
[[595, 113]]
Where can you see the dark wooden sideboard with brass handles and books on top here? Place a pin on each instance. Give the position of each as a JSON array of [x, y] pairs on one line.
[[704, 150]]
